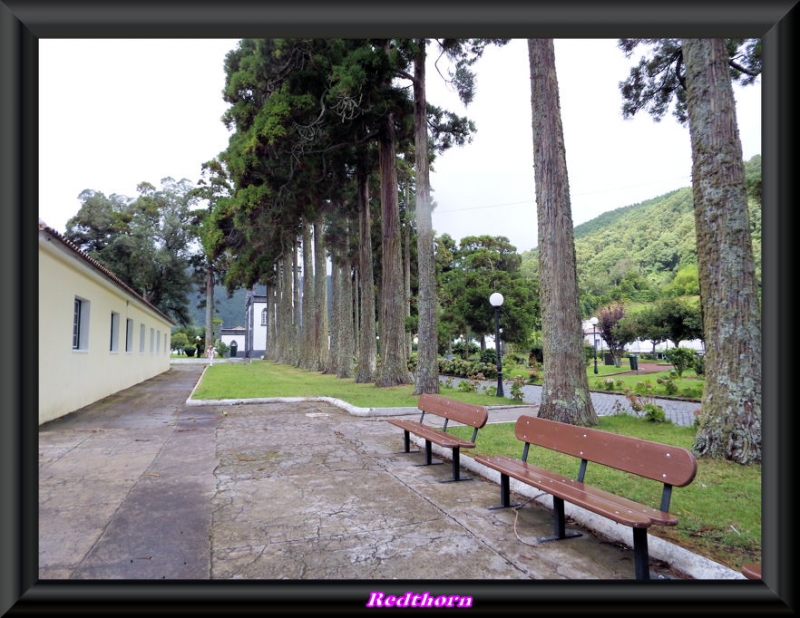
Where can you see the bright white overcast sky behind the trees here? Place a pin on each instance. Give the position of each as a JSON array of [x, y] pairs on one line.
[[118, 112]]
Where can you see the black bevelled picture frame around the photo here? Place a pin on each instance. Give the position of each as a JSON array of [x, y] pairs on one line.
[[24, 22]]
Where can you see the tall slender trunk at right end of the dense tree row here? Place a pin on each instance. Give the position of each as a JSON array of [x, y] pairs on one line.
[[428, 329]]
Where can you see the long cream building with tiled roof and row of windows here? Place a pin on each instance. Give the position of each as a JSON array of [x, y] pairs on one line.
[[96, 335]]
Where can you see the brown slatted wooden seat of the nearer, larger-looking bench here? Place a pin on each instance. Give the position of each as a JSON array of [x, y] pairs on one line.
[[616, 508]]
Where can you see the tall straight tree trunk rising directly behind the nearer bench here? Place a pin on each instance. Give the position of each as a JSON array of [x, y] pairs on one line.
[[565, 388]]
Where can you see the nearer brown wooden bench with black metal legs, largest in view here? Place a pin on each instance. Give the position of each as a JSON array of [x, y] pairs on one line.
[[669, 465]]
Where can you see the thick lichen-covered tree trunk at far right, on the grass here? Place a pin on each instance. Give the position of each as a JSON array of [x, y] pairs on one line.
[[730, 420]]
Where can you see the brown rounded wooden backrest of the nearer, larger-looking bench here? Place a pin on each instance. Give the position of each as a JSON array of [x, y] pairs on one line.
[[671, 465]]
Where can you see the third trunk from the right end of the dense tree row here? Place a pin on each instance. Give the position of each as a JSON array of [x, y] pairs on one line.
[[367, 361]]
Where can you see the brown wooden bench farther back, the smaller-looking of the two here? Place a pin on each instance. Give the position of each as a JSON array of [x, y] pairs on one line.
[[456, 411]]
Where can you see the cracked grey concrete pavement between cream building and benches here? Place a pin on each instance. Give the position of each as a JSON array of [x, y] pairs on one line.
[[142, 486]]
